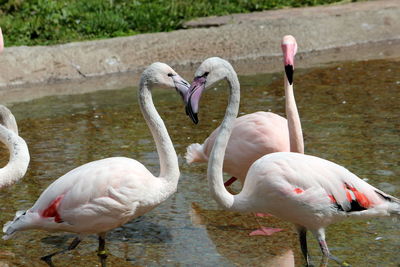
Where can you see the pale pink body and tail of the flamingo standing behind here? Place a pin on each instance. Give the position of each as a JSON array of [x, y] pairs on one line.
[[253, 136]]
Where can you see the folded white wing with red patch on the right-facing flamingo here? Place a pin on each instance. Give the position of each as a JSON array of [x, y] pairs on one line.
[[106, 188]]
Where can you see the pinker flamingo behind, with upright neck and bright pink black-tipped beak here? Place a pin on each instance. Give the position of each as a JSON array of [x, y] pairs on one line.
[[258, 133]]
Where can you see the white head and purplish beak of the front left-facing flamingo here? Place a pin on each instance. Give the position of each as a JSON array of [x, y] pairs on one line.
[[210, 71]]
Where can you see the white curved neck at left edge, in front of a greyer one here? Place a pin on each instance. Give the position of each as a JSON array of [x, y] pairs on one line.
[[19, 157]]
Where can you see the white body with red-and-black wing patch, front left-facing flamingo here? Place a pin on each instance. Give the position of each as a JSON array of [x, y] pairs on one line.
[[311, 191]]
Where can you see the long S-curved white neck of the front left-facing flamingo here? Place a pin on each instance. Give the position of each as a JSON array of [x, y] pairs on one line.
[[215, 162]]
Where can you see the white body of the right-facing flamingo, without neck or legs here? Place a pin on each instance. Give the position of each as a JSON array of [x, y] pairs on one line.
[[94, 198]]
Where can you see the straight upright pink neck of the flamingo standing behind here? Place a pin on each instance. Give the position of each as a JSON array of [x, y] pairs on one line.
[[293, 119]]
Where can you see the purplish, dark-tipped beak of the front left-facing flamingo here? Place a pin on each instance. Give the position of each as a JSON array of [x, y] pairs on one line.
[[192, 103]]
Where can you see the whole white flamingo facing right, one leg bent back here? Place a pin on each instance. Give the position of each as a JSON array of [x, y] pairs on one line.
[[104, 194]]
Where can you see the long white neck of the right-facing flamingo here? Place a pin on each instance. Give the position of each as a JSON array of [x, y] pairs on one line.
[[169, 167]]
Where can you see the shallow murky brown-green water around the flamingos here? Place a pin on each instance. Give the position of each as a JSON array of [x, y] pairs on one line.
[[350, 114]]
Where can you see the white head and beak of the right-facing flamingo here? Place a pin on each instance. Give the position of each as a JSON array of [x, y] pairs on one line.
[[161, 75]]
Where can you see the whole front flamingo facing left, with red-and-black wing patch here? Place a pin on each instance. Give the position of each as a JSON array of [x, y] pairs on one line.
[[308, 191]]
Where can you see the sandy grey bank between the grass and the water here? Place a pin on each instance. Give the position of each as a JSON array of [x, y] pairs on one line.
[[353, 31]]
